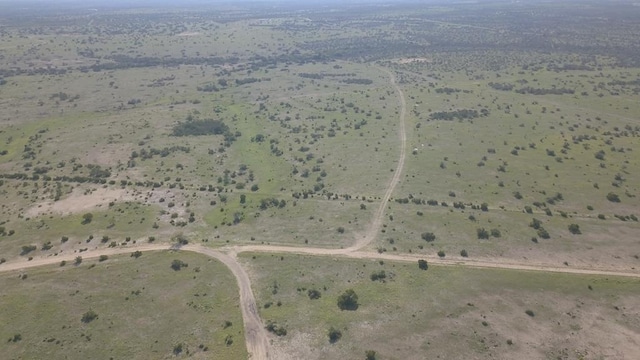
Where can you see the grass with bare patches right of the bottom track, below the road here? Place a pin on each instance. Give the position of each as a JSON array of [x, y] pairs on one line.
[[438, 312]]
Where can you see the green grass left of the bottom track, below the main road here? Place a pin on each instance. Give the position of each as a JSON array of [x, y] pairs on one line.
[[144, 309]]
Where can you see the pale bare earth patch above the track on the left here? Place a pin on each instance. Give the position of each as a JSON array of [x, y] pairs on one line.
[[80, 200]]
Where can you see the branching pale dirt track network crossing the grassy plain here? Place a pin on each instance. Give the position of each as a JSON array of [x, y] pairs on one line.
[[256, 337]]
